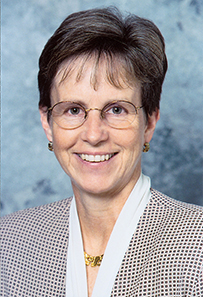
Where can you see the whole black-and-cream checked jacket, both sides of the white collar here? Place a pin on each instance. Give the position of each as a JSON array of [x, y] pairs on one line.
[[164, 257]]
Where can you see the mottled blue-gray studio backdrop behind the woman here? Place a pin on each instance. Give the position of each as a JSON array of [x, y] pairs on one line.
[[30, 173]]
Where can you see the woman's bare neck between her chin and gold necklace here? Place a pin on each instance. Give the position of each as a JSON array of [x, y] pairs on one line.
[[97, 216]]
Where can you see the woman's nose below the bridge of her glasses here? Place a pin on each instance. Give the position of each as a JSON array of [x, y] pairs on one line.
[[95, 130]]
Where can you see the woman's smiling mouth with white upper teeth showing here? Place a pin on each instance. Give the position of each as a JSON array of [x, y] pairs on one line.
[[96, 157]]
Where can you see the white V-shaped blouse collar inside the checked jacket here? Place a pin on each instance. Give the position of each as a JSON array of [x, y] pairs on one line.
[[76, 280]]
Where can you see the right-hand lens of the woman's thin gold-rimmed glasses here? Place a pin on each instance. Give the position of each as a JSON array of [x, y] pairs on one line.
[[120, 114]]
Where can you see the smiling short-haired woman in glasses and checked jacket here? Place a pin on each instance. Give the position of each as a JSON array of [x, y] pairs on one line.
[[100, 81]]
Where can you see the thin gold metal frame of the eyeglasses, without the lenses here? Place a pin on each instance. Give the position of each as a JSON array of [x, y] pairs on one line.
[[87, 110]]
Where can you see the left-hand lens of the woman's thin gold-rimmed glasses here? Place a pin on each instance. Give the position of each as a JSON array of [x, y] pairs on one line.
[[68, 115]]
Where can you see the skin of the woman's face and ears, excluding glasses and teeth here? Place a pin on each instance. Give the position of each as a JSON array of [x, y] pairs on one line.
[[95, 137]]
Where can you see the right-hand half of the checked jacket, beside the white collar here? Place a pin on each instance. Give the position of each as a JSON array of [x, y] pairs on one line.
[[165, 253]]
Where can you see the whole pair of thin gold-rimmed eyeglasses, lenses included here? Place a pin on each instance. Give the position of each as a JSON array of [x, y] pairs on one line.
[[71, 115]]
